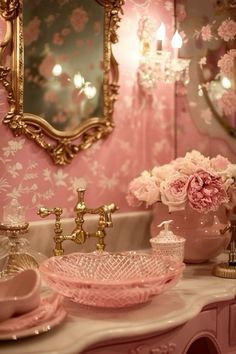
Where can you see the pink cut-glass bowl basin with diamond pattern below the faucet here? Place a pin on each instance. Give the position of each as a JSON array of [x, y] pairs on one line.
[[110, 280]]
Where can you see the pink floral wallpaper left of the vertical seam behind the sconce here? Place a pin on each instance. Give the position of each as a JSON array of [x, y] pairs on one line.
[[143, 136]]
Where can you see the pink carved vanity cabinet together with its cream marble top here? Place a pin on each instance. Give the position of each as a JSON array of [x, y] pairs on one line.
[[198, 315]]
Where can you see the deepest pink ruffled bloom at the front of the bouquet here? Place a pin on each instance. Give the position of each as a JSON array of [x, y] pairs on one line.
[[206, 192]]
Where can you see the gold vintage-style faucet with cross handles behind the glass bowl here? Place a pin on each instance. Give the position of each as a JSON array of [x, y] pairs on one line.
[[79, 235]]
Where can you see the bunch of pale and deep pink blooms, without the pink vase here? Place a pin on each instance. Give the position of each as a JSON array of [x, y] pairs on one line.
[[200, 182]]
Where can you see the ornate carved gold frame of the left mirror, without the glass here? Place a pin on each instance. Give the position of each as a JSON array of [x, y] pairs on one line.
[[61, 146]]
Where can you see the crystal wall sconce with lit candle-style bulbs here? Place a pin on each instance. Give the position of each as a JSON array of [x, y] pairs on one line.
[[157, 64]]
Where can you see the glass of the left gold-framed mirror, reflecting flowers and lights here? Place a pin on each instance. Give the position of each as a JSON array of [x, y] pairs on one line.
[[63, 53]]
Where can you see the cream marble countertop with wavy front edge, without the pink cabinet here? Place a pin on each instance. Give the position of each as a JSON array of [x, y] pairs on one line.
[[86, 326]]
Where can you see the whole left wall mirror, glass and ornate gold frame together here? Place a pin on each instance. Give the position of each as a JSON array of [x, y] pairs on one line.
[[63, 83]]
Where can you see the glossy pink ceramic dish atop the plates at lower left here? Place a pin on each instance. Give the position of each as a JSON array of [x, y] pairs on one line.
[[19, 294]]
